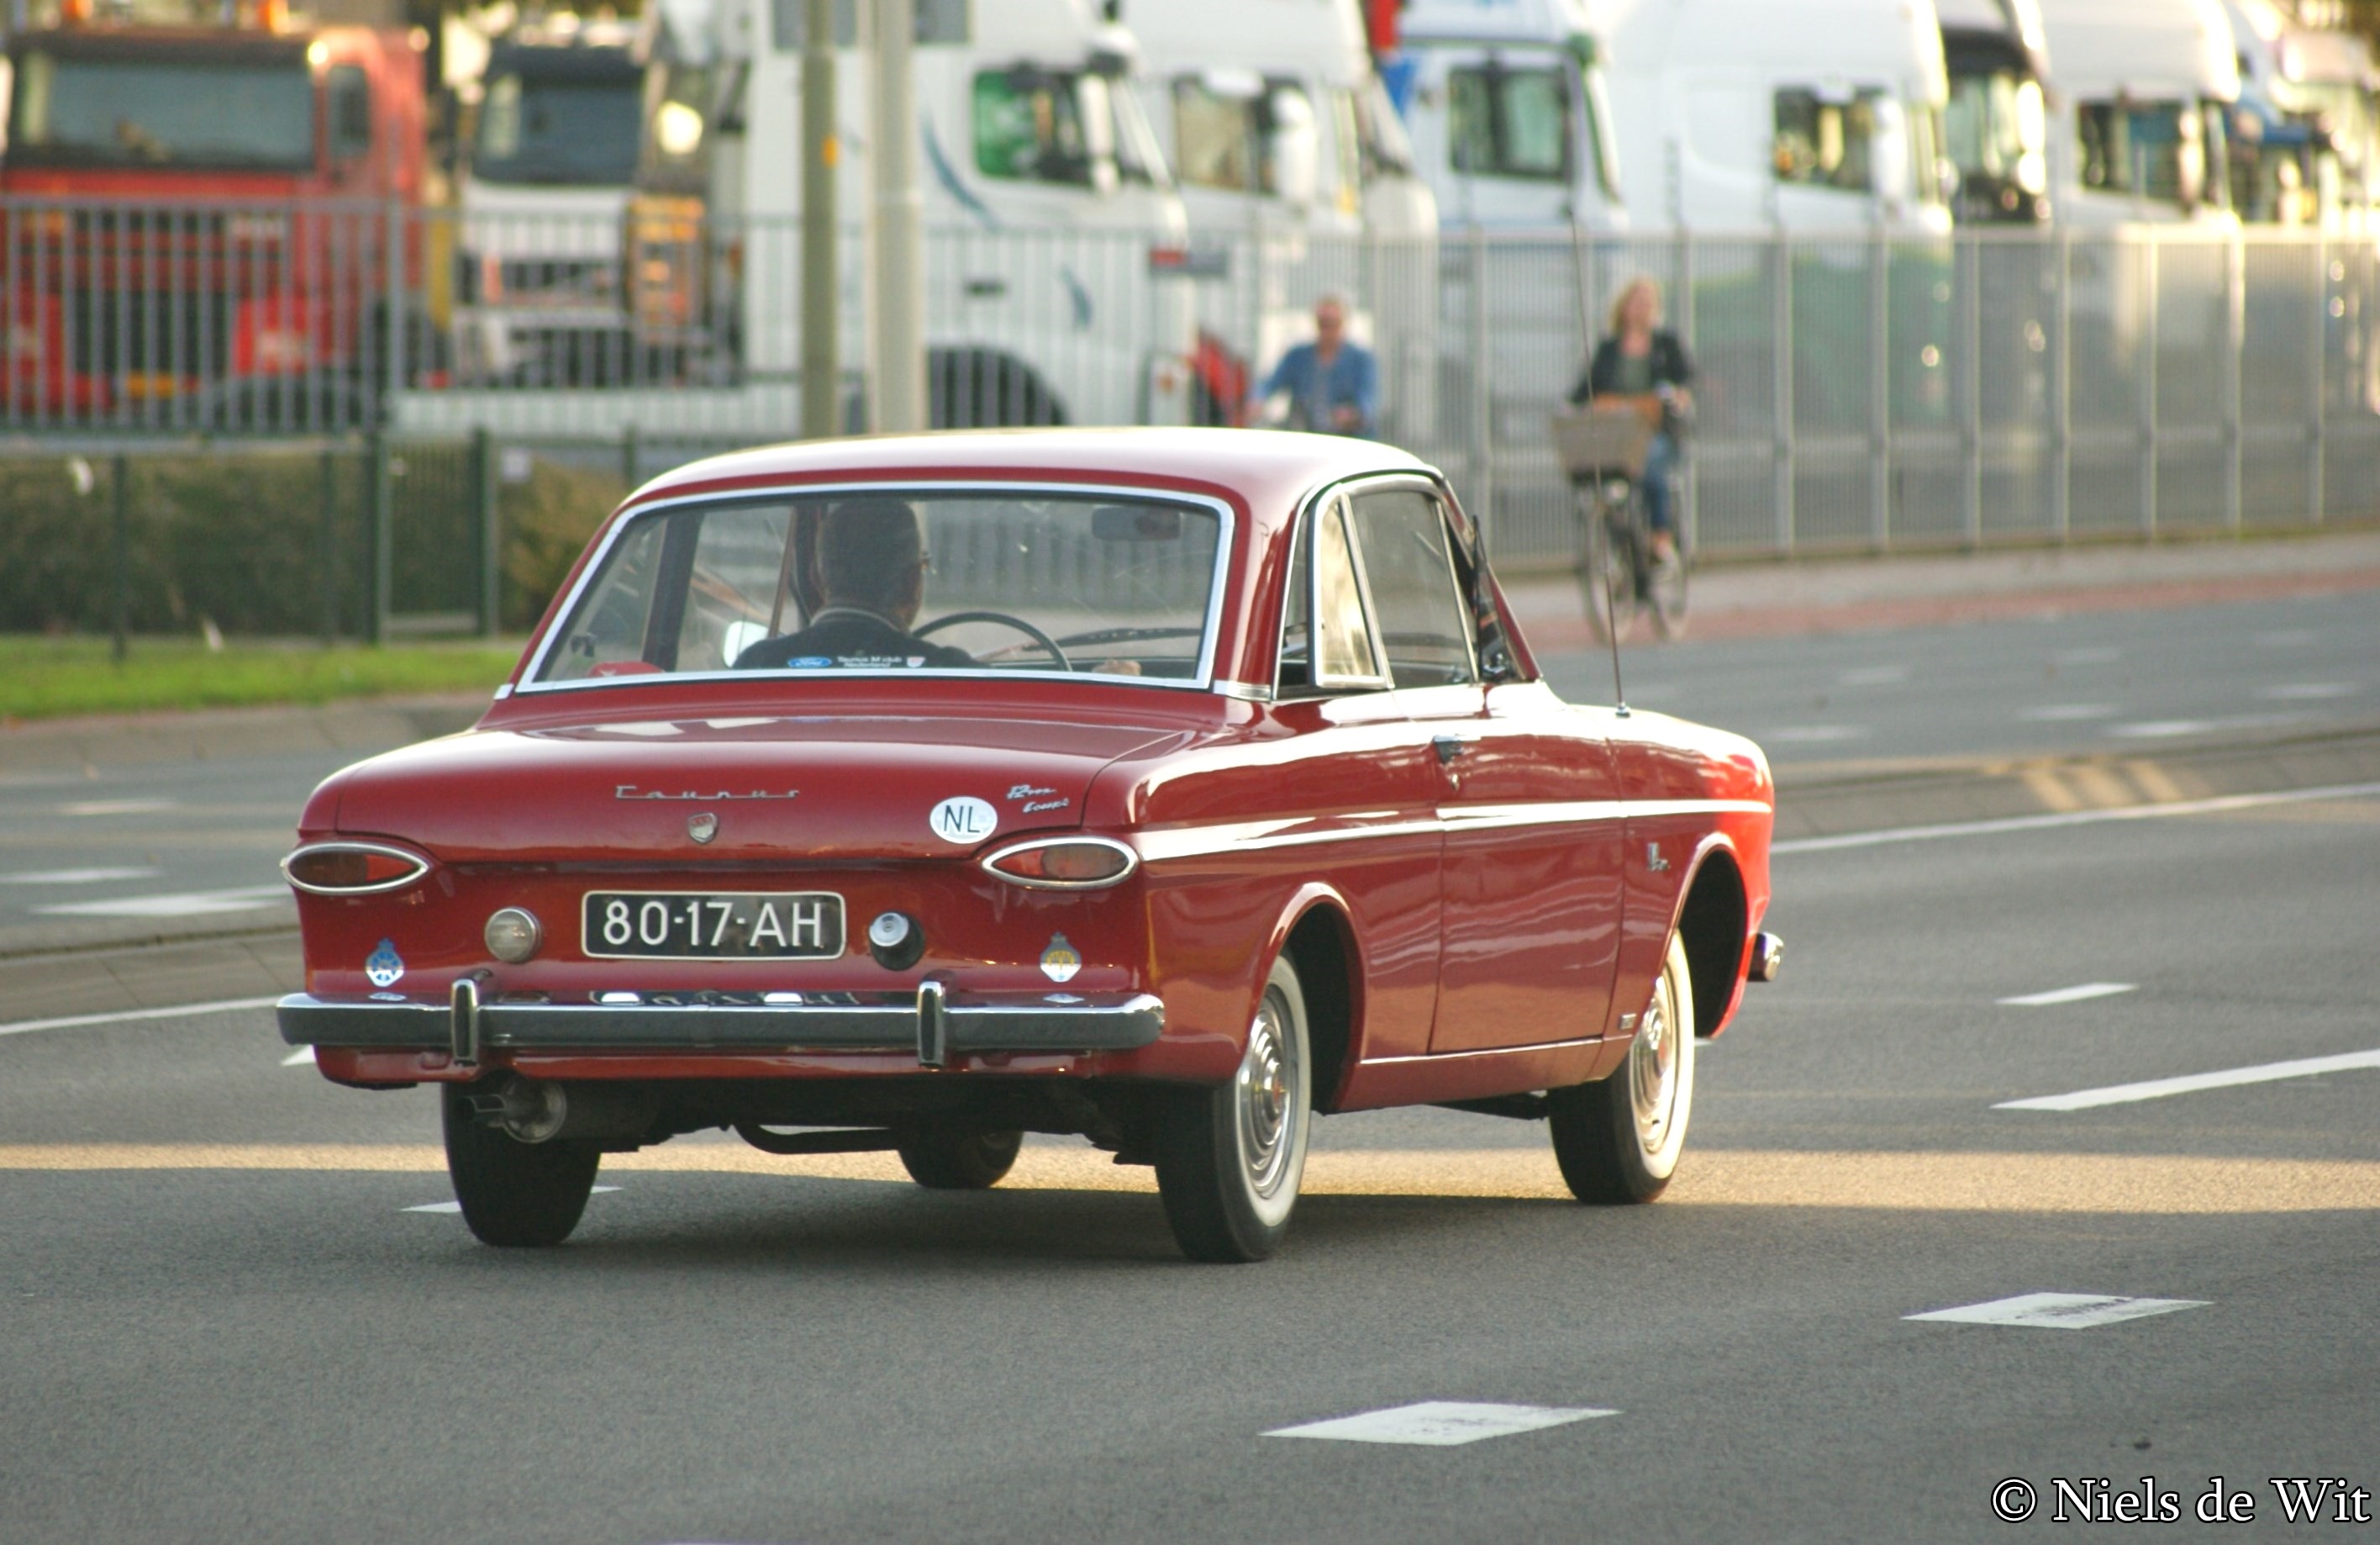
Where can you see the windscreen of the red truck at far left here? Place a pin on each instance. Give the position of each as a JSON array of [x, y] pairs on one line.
[[163, 113]]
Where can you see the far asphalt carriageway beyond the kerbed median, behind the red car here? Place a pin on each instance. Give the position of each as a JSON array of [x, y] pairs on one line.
[[154, 846]]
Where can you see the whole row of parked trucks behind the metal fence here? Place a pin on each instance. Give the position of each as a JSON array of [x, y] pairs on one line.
[[246, 220]]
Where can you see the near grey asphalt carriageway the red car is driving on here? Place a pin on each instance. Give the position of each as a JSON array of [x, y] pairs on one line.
[[225, 1318]]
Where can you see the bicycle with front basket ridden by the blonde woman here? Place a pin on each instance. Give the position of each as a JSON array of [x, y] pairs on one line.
[[1603, 449]]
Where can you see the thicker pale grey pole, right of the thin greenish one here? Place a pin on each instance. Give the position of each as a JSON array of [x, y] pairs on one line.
[[901, 227]]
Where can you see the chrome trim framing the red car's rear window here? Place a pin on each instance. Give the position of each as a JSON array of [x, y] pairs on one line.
[[1213, 623]]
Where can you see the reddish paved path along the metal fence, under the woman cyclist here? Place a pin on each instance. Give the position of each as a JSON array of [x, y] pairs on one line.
[[1850, 594]]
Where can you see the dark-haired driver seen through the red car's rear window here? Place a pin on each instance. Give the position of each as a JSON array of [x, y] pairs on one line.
[[872, 582]]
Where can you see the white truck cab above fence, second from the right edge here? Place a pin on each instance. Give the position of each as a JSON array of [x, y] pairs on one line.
[[2146, 94]]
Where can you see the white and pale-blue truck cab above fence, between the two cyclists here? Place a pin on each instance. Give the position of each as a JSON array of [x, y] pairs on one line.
[[1512, 113]]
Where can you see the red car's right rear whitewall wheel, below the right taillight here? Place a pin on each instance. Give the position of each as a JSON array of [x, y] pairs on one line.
[[1229, 1161]]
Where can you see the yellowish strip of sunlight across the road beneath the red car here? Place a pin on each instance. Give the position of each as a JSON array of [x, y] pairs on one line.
[[1877, 1182]]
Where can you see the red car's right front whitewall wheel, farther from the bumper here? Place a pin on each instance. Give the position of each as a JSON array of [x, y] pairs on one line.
[[1620, 1139]]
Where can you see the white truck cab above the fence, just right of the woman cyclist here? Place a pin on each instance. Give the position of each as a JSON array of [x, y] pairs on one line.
[[1820, 115]]
